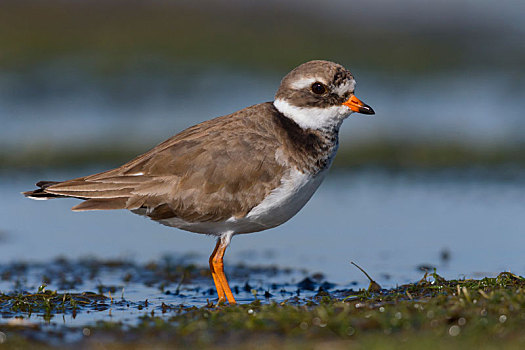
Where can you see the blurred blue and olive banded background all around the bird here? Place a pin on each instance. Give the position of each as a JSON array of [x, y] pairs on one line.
[[435, 178]]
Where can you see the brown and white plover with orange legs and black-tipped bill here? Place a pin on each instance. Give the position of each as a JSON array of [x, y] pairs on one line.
[[240, 173]]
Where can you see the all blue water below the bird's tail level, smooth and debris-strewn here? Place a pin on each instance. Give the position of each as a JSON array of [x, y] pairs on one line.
[[392, 224]]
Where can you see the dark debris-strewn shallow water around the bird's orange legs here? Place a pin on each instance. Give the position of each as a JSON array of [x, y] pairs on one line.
[[122, 291]]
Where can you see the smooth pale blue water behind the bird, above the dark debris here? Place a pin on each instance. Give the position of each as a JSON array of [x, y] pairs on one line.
[[388, 223]]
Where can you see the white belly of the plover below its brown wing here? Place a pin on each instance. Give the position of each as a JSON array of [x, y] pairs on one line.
[[278, 207]]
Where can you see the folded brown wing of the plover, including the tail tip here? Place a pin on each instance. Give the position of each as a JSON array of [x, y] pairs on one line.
[[210, 172]]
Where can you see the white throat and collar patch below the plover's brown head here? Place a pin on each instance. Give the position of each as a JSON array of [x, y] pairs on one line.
[[329, 118]]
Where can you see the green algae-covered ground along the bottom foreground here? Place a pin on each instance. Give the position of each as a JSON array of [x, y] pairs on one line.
[[433, 313]]
